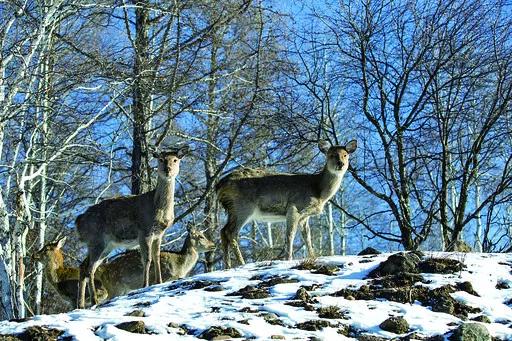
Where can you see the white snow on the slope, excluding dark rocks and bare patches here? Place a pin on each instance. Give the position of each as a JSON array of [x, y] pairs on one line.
[[182, 307]]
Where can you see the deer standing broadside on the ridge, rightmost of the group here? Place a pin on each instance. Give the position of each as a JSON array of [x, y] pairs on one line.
[[260, 195]]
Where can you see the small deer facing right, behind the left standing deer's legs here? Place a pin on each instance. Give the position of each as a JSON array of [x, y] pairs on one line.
[[122, 273]]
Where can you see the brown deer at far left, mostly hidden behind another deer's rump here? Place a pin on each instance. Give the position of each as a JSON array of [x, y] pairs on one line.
[[62, 278]]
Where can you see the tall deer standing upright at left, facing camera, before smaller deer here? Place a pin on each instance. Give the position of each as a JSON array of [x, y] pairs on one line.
[[130, 221]]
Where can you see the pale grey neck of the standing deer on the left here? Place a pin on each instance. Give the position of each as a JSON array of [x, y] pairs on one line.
[[164, 200]]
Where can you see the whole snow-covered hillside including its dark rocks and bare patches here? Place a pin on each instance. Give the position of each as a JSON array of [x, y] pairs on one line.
[[326, 299]]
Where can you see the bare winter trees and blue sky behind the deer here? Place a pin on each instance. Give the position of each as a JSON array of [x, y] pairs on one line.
[[90, 90]]
